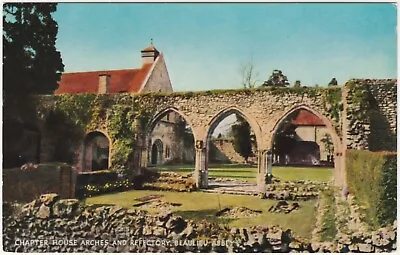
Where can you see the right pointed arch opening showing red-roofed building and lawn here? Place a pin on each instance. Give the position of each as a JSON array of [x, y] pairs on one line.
[[303, 146]]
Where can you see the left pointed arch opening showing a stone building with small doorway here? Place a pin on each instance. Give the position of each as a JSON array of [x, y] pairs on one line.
[[170, 143]]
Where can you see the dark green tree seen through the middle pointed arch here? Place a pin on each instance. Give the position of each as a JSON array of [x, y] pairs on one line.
[[242, 138]]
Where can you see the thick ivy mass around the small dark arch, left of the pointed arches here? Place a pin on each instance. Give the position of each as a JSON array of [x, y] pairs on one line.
[[123, 117]]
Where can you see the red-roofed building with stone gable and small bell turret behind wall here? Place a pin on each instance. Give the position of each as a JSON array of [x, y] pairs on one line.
[[151, 76]]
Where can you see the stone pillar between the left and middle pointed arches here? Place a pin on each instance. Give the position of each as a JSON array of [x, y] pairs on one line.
[[201, 171]]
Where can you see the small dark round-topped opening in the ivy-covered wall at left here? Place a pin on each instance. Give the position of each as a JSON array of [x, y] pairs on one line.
[[96, 152]]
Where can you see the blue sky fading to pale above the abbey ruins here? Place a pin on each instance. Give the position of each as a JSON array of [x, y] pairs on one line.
[[205, 44]]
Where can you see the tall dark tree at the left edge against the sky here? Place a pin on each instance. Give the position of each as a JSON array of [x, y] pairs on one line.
[[31, 65]]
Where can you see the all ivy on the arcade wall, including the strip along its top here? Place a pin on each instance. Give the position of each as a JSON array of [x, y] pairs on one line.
[[126, 117]]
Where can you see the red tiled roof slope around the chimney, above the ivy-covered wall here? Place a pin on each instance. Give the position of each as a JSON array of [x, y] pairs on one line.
[[129, 80]]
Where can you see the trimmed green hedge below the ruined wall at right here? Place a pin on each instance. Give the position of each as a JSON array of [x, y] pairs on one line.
[[372, 179]]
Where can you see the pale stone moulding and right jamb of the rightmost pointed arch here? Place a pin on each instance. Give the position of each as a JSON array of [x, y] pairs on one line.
[[338, 175]]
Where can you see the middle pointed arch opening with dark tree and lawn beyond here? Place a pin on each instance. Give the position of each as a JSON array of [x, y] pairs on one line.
[[232, 150]]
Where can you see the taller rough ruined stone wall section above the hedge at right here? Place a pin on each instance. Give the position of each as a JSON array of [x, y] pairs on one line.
[[371, 115]]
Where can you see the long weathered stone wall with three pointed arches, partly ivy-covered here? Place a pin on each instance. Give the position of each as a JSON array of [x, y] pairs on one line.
[[263, 108]]
